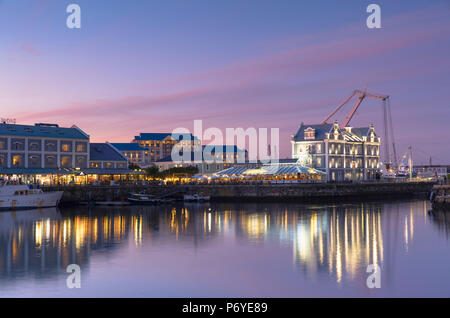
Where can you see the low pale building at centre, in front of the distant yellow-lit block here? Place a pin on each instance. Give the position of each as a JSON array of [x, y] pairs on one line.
[[212, 159]]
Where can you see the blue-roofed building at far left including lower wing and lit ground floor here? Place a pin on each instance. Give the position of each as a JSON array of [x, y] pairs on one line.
[[49, 154]]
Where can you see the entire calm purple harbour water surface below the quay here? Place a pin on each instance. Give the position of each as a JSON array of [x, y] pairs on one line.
[[227, 250]]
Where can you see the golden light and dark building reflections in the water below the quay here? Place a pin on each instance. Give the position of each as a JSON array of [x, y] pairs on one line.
[[338, 240]]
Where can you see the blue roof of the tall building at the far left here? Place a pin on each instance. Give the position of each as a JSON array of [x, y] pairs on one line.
[[51, 131]]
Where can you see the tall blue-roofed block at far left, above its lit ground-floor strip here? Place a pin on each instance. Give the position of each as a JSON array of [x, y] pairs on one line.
[[42, 146]]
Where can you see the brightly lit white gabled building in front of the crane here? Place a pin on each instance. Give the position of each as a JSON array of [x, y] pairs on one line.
[[342, 153]]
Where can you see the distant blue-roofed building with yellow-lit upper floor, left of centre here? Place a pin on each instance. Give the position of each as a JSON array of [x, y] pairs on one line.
[[159, 145]]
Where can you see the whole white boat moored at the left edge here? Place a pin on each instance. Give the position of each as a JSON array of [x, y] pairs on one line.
[[16, 197]]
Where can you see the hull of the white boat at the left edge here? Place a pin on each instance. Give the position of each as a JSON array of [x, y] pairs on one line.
[[31, 201]]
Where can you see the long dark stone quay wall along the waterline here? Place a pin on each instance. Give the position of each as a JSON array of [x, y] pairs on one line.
[[250, 192]]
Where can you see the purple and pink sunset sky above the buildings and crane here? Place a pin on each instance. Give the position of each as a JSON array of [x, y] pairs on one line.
[[152, 66]]
